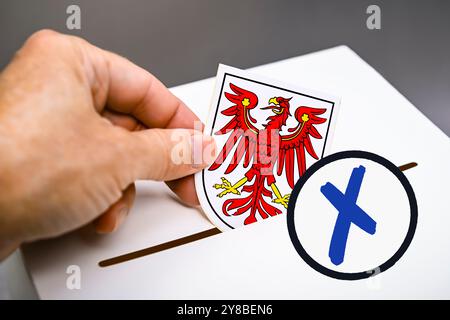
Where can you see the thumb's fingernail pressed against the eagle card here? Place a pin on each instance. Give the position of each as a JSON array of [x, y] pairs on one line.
[[203, 150]]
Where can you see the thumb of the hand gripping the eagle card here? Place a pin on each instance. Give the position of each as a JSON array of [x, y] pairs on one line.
[[166, 154]]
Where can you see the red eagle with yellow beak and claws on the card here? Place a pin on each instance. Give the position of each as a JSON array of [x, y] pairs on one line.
[[266, 150]]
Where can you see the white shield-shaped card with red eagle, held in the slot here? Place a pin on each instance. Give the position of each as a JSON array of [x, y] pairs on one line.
[[267, 133]]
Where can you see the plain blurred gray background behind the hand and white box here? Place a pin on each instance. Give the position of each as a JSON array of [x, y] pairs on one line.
[[180, 41]]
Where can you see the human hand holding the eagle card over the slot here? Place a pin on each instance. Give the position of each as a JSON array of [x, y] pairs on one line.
[[78, 125]]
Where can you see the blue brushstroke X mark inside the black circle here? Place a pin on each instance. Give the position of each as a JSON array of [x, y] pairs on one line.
[[349, 213]]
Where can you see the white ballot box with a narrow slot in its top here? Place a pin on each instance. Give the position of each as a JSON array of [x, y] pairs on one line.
[[259, 261]]
